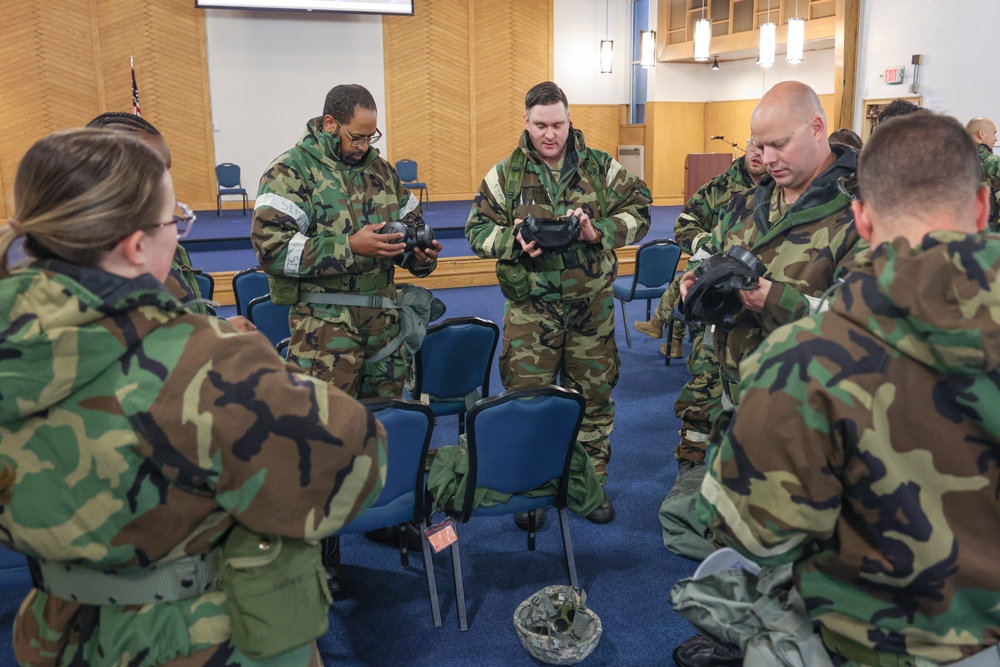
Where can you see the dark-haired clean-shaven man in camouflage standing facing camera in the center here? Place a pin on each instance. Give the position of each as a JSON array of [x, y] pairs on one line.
[[559, 320]]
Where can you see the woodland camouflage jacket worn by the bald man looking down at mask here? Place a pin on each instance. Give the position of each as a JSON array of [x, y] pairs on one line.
[[806, 249]]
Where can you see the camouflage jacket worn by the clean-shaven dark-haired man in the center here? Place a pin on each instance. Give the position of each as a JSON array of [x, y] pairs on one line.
[[625, 220]]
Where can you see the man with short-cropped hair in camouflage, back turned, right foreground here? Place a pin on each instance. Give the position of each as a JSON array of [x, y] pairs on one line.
[[864, 447]]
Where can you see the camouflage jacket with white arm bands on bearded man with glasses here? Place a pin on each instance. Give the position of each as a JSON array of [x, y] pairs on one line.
[[310, 202]]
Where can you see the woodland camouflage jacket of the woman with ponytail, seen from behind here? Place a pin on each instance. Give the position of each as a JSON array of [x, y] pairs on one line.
[[140, 433]]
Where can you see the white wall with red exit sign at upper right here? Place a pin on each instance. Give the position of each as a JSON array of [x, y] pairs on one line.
[[957, 41]]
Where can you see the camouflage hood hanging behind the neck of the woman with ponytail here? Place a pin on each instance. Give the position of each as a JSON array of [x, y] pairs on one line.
[[55, 309]]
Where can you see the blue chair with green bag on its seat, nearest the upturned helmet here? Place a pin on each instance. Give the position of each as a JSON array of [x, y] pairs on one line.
[[519, 441]]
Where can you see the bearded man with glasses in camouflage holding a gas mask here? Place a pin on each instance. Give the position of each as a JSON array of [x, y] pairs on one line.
[[316, 225]]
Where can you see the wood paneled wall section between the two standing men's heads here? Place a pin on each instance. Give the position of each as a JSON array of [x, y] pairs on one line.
[[456, 73]]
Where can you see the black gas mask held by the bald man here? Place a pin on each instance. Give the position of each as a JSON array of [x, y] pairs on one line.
[[714, 298]]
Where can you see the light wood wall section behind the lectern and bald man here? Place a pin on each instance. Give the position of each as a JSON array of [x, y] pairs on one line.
[[674, 129]]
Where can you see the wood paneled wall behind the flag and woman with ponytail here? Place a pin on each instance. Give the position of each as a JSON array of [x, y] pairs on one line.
[[62, 63]]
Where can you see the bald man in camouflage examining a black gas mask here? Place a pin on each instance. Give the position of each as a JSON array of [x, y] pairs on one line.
[[799, 224]]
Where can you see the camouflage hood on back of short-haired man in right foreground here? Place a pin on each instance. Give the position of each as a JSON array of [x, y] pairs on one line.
[[898, 297]]
